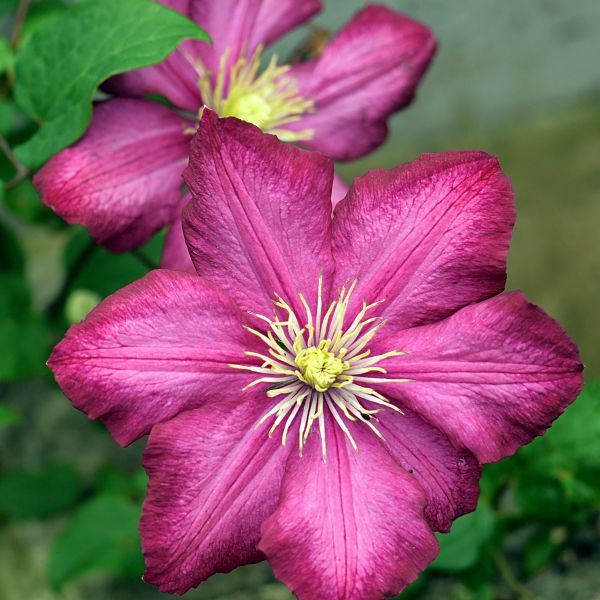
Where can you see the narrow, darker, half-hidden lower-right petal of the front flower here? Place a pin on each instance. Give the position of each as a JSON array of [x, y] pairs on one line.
[[449, 476]]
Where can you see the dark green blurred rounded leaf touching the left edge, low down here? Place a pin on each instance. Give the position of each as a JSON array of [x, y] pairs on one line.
[[38, 495]]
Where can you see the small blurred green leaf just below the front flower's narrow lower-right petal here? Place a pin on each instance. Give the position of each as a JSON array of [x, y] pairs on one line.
[[460, 549]]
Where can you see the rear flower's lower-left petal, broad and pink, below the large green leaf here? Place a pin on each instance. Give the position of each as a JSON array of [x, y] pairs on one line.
[[122, 178]]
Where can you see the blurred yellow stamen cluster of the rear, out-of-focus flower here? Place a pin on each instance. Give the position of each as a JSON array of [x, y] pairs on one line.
[[269, 100]]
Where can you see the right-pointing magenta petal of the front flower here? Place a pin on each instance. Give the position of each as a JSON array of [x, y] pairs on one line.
[[492, 377]]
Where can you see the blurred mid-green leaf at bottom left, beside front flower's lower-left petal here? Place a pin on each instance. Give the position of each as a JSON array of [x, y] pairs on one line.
[[102, 536]]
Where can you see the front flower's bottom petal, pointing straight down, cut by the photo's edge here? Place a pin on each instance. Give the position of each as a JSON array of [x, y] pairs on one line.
[[351, 528]]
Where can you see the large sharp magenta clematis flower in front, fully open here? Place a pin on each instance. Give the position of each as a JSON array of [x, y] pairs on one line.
[[323, 391]]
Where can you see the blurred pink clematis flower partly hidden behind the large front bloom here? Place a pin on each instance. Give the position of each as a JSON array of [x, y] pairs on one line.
[[122, 180]]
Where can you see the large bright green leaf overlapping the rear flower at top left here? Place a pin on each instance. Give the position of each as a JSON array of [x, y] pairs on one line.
[[67, 57]]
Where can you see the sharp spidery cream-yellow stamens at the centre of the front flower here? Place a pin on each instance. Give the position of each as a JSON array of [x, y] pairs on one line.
[[322, 365]]
